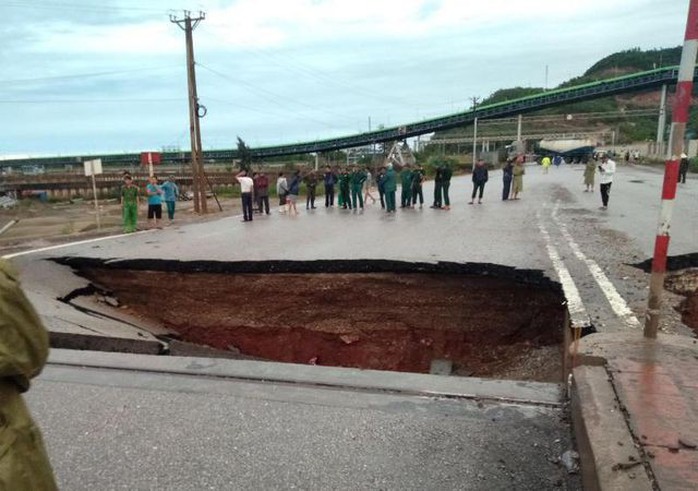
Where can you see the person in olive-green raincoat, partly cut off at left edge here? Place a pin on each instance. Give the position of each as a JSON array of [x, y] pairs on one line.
[[24, 465]]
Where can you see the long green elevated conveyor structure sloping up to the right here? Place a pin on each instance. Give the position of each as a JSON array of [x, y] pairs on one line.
[[652, 79]]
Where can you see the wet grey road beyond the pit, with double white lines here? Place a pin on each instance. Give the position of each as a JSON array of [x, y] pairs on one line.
[[555, 227]]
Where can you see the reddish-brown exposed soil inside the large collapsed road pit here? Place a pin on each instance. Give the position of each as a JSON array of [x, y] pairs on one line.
[[486, 326]]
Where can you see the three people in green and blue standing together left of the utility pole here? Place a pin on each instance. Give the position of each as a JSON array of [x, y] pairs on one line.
[[156, 193]]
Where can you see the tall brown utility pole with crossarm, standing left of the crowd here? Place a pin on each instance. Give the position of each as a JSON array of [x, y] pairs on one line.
[[188, 24]]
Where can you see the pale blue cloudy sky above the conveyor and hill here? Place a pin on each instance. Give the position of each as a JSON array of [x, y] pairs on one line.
[[85, 77]]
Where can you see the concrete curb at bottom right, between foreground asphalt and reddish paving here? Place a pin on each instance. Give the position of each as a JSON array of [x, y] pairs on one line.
[[609, 457]]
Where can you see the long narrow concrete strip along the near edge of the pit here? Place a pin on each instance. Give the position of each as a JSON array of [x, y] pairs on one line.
[[374, 380]]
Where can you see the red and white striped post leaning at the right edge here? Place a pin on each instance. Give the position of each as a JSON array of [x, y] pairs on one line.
[[682, 104]]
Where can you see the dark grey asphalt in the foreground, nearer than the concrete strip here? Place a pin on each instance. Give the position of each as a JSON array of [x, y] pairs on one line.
[[116, 429]]
